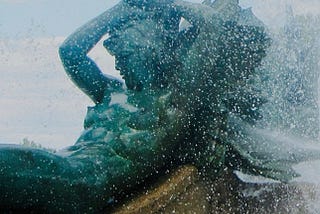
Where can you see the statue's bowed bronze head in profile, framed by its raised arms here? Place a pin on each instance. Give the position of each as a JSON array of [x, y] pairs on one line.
[[139, 49]]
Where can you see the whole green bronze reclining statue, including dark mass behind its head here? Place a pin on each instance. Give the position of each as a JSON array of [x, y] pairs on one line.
[[187, 69]]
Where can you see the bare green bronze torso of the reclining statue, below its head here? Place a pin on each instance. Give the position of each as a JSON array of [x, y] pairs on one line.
[[133, 130]]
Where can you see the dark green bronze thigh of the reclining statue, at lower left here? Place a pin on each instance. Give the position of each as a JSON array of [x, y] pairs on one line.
[[33, 179]]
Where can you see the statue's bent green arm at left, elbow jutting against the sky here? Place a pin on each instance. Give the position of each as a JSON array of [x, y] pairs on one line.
[[73, 52]]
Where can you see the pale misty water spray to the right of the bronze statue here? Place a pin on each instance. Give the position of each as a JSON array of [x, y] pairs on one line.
[[290, 129]]
